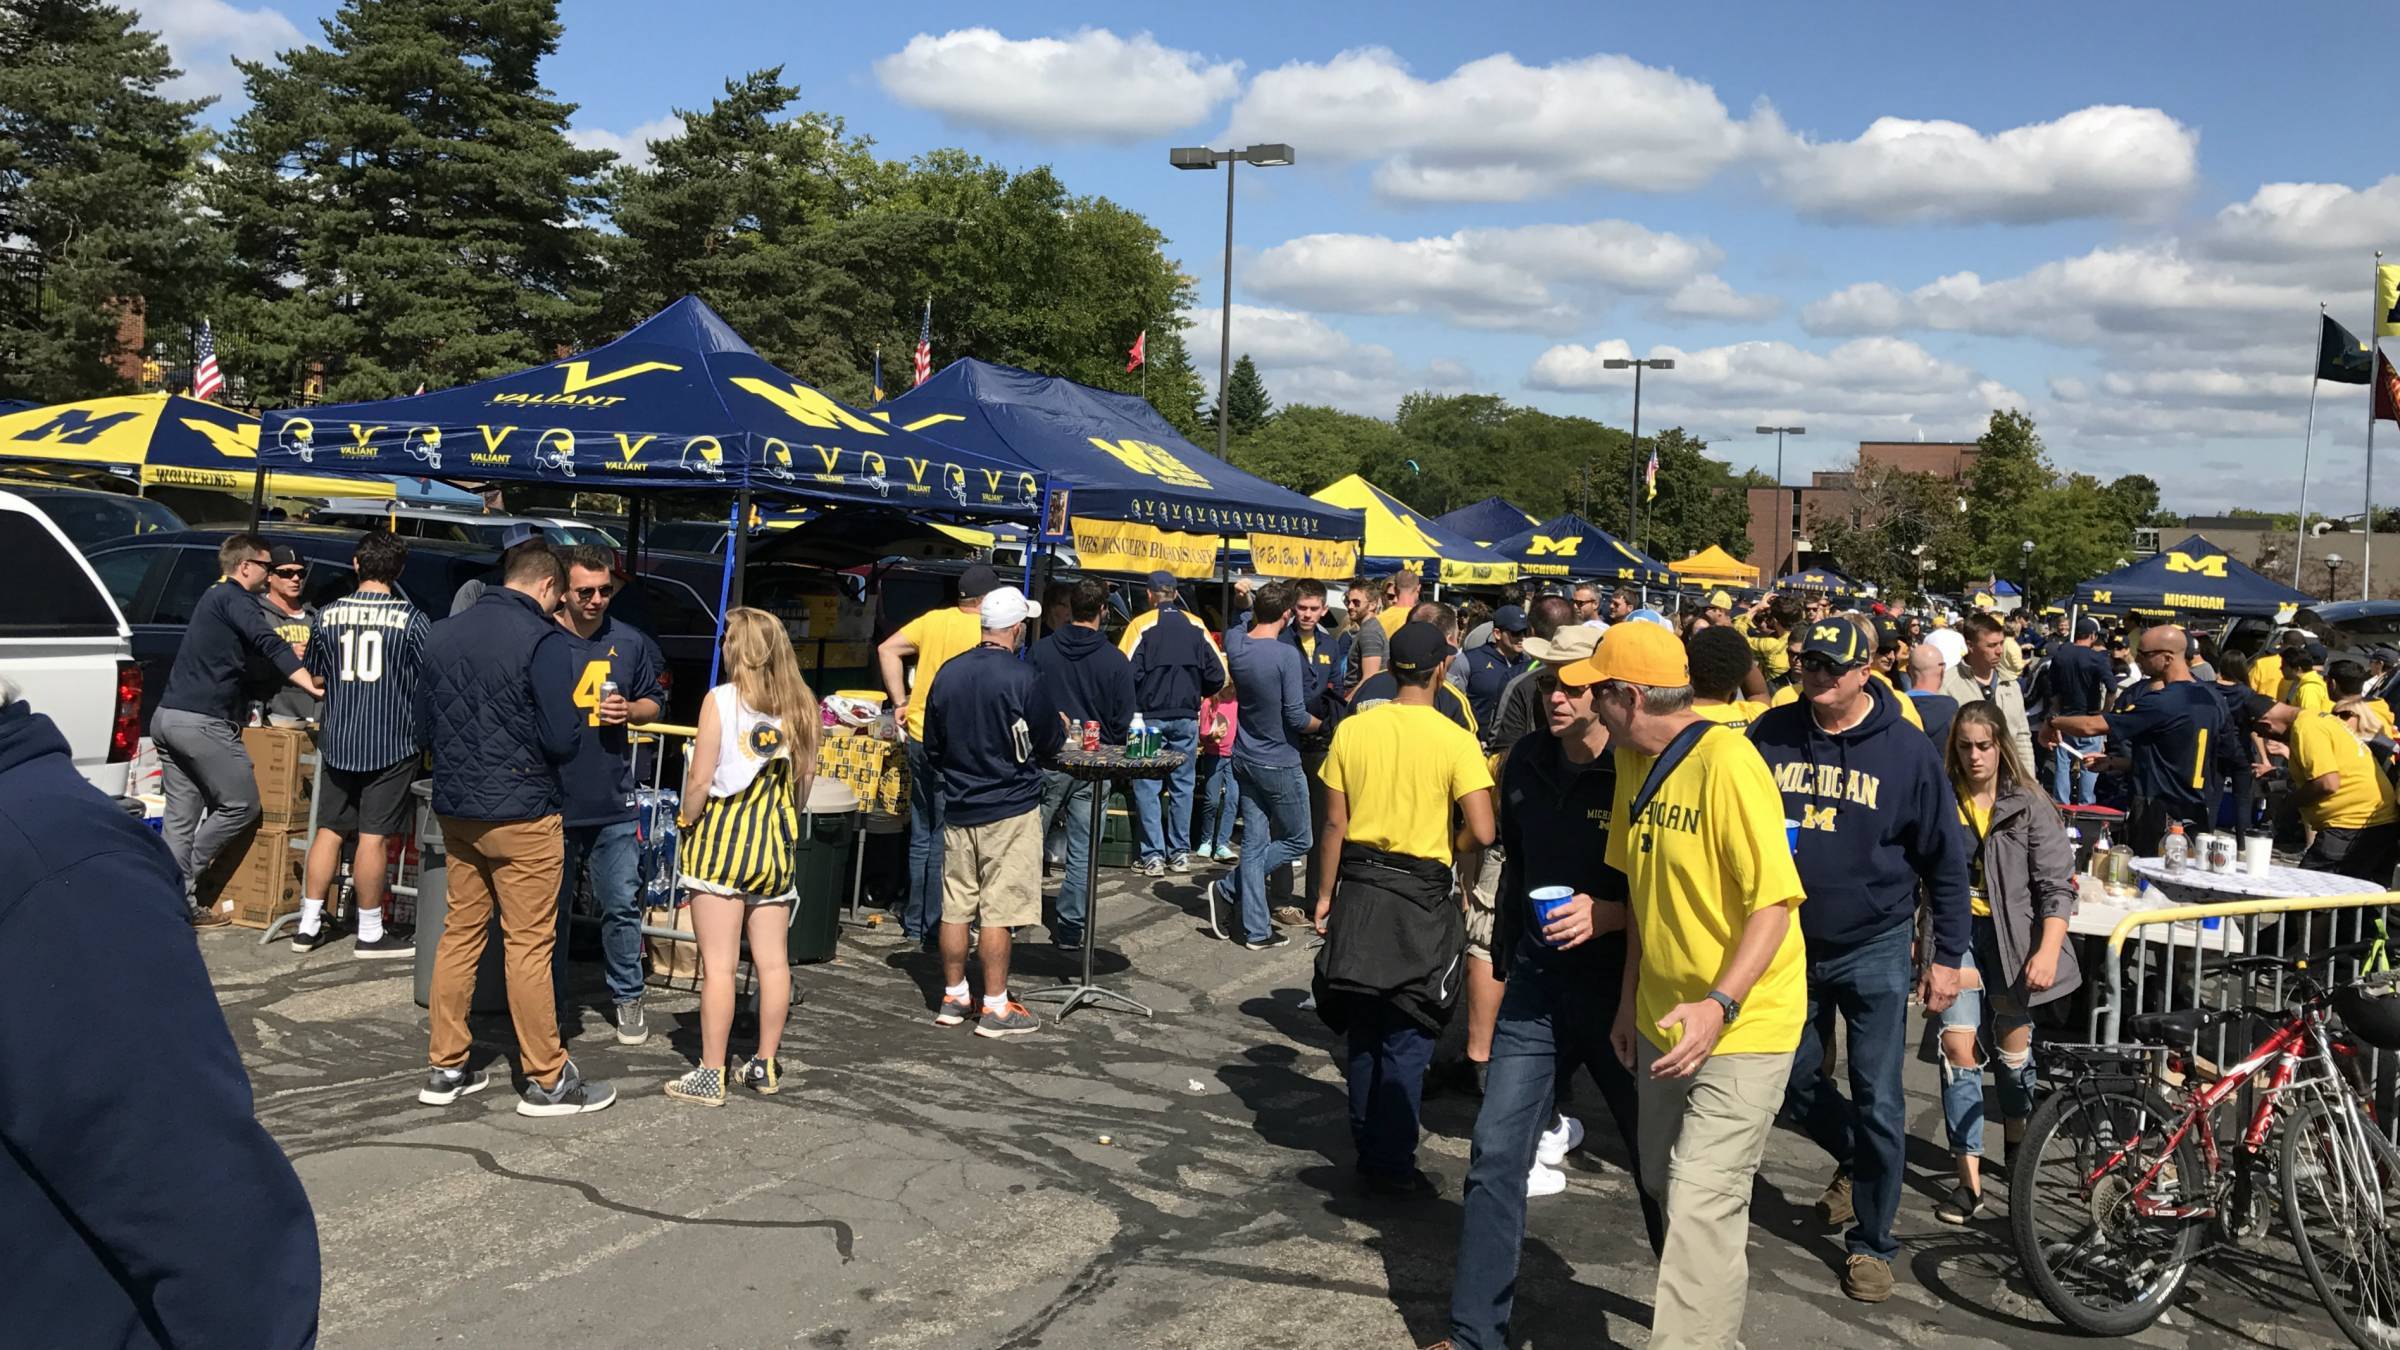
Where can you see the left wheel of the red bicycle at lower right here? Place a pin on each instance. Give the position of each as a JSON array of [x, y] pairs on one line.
[[2092, 1258]]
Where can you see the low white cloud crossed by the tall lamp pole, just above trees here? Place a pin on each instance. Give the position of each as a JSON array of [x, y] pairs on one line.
[[1307, 362]]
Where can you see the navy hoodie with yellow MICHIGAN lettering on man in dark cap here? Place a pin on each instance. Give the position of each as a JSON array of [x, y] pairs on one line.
[[1876, 818]]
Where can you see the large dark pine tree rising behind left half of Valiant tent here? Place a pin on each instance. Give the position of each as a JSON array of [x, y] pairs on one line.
[[404, 203]]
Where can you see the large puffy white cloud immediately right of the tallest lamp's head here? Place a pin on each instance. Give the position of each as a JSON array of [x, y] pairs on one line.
[[1499, 131]]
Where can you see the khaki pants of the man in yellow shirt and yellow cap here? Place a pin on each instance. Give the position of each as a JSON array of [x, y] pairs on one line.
[[1700, 1149]]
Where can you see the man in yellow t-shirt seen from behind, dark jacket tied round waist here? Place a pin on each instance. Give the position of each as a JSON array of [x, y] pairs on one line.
[[1396, 933]]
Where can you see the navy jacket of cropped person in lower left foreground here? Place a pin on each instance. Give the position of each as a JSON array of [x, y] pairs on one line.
[[138, 1205]]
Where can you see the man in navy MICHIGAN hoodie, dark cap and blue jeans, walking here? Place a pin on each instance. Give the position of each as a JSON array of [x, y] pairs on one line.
[[1876, 818]]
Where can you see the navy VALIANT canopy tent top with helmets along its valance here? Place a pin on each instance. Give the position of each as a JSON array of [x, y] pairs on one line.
[[678, 402]]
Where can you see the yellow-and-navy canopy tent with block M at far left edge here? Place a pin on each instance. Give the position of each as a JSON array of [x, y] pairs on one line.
[[167, 441]]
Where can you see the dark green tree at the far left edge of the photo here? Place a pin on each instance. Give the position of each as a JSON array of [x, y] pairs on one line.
[[97, 213]]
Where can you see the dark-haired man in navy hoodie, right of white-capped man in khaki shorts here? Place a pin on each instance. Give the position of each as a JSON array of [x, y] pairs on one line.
[[1088, 681]]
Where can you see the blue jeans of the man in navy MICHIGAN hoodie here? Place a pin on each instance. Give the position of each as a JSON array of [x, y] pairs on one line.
[[1866, 984]]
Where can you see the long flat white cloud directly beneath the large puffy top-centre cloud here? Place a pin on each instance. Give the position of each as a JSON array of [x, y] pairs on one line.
[[1532, 277]]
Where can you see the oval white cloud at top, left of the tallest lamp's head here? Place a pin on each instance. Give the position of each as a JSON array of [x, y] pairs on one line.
[[1091, 85]]
